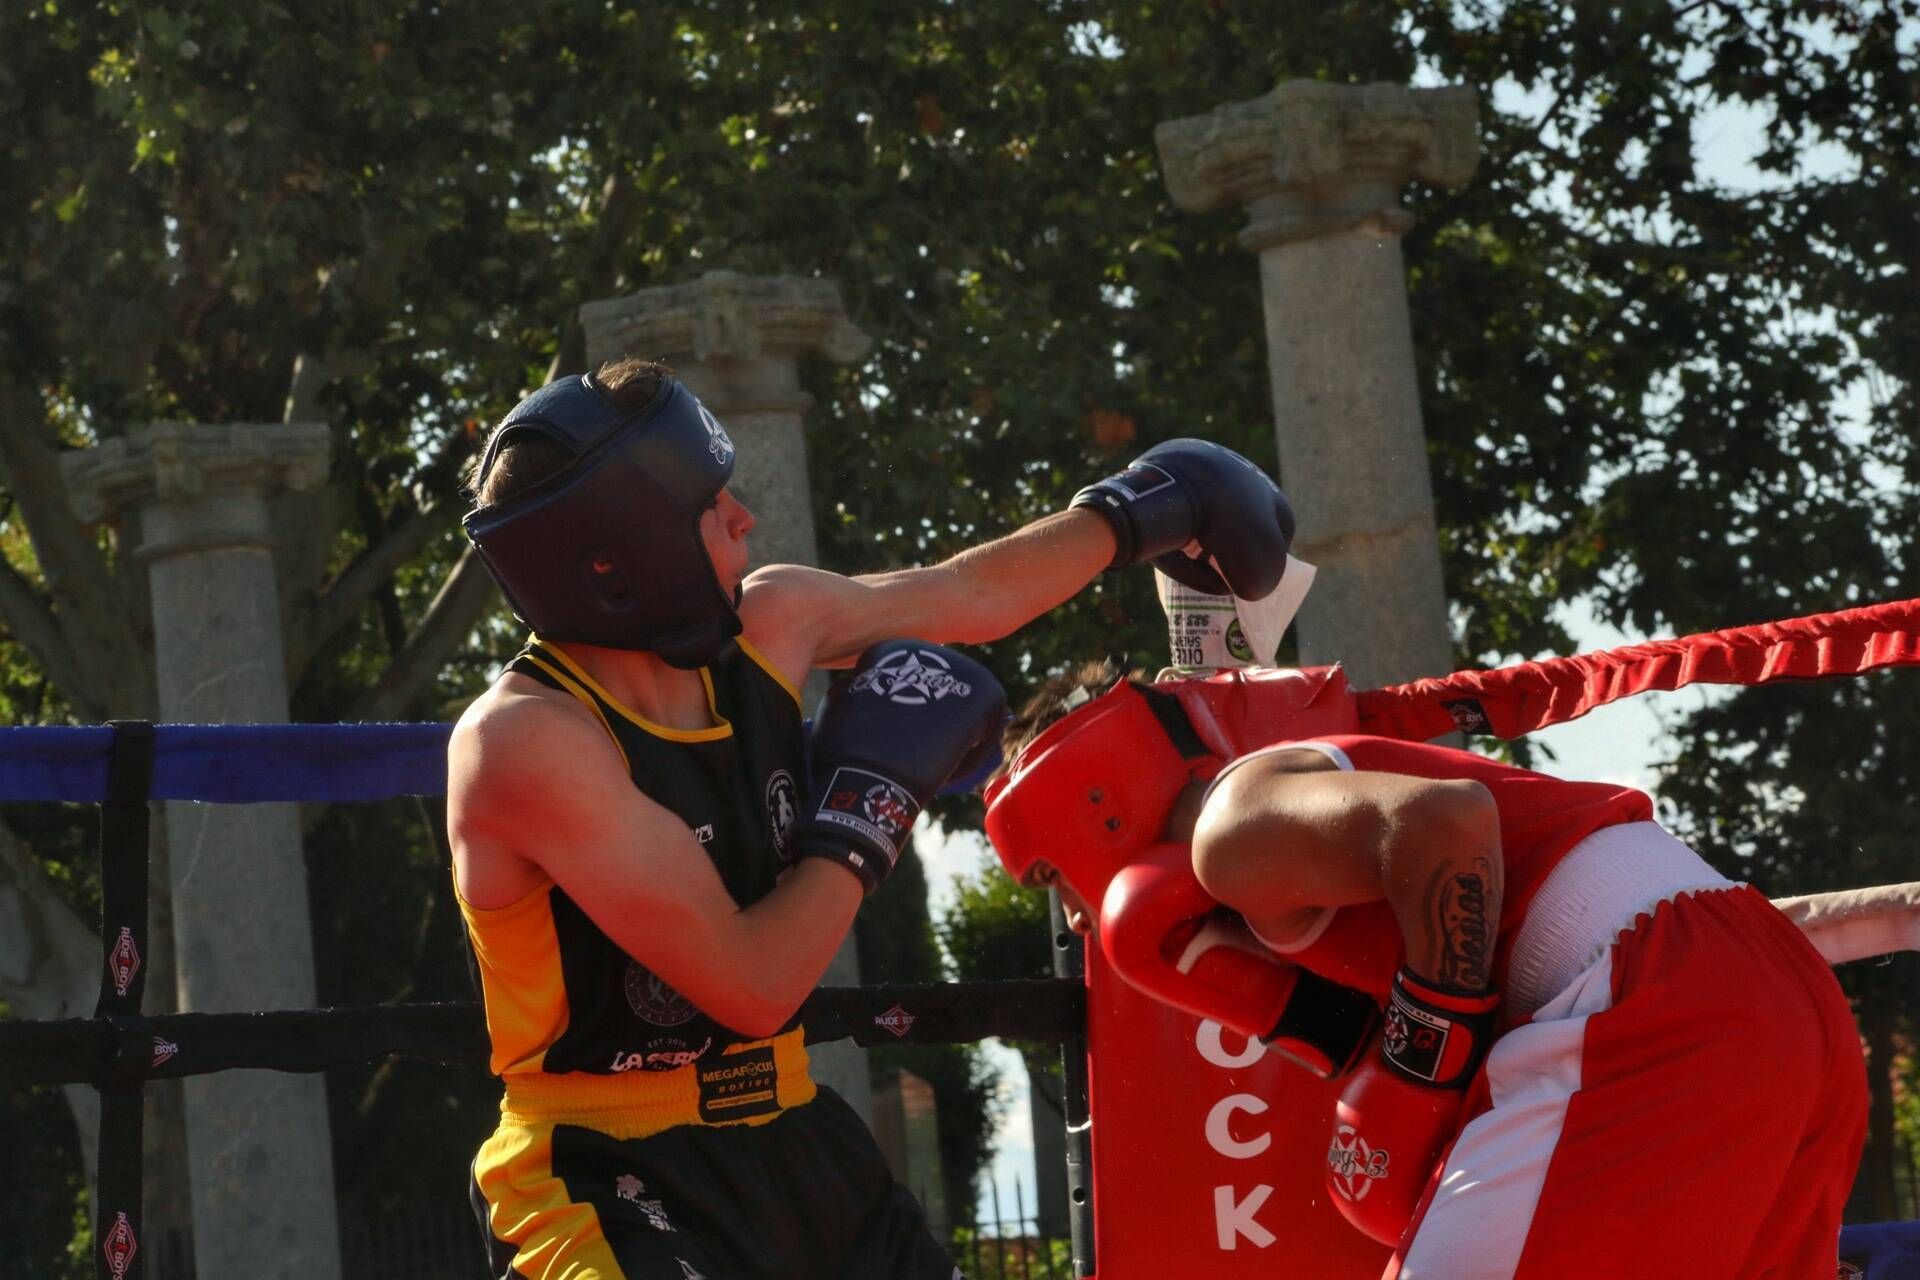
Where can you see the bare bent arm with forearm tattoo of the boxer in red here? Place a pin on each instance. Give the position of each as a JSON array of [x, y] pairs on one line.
[[1285, 836]]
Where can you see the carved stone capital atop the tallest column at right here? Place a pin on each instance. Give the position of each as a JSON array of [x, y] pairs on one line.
[[1314, 160]]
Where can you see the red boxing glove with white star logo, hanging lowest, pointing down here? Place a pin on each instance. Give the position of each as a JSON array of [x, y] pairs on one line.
[[1399, 1116]]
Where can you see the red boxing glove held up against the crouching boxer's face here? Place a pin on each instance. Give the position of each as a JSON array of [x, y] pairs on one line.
[[1170, 939]]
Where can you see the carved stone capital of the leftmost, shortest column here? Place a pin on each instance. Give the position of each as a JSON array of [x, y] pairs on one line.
[[197, 486]]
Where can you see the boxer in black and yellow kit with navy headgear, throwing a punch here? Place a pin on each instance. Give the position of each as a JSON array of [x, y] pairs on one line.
[[640, 1135]]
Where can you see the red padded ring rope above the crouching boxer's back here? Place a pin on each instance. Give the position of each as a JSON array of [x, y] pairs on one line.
[[1533, 696]]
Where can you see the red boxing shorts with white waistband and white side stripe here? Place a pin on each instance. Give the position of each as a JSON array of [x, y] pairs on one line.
[[1687, 1099]]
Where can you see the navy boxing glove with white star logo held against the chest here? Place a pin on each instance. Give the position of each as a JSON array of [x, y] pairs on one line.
[[884, 742]]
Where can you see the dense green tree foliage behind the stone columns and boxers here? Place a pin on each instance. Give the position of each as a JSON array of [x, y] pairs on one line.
[[1683, 398]]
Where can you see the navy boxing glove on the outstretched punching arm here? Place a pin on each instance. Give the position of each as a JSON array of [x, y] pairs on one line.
[[1193, 490]]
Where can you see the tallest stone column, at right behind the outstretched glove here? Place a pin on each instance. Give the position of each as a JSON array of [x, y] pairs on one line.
[[1320, 172]]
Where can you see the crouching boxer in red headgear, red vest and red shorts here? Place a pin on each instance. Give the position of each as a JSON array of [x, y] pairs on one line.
[[1598, 1056]]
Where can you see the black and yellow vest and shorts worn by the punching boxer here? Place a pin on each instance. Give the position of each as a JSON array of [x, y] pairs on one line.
[[638, 1135]]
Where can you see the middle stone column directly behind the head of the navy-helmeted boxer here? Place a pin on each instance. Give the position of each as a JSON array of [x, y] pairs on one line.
[[738, 344]]
